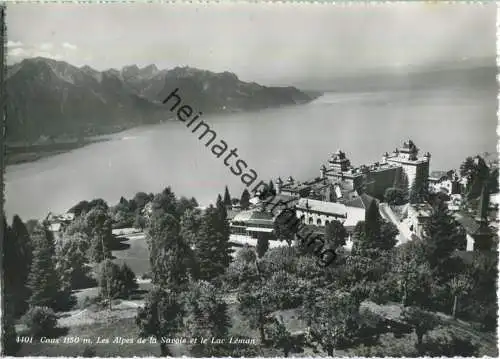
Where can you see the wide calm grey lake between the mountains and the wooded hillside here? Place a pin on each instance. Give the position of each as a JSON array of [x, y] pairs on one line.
[[450, 123]]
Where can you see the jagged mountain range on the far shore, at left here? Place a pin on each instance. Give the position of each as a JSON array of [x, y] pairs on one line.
[[49, 98]]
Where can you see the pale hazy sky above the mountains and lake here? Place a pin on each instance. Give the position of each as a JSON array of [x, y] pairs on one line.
[[269, 43]]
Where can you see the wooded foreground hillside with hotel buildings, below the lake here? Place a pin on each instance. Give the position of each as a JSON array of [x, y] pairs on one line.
[[431, 233]]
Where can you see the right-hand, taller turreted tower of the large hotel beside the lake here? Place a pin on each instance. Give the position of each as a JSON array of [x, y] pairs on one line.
[[415, 168]]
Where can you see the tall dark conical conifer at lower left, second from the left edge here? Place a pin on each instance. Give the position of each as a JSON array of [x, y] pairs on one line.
[[43, 278]]
